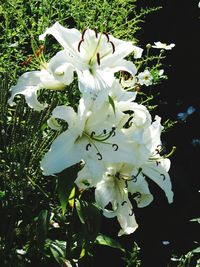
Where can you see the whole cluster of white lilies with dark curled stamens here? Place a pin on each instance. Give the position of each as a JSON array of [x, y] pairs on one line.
[[114, 139]]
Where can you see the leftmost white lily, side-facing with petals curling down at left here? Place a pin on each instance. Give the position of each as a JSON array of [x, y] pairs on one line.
[[30, 82]]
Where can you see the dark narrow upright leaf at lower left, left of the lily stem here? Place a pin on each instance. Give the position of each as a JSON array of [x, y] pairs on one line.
[[42, 227]]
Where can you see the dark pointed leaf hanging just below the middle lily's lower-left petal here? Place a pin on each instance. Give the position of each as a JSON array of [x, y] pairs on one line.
[[65, 185]]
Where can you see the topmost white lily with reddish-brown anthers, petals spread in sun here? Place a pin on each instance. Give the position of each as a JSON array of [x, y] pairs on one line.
[[95, 57]]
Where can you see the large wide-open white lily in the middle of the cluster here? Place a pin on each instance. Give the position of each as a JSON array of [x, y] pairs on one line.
[[90, 135]]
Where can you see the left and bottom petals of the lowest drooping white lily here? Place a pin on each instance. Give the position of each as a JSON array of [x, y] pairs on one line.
[[112, 190]]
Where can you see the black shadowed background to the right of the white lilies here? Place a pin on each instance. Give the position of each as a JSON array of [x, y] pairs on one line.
[[177, 22]]
